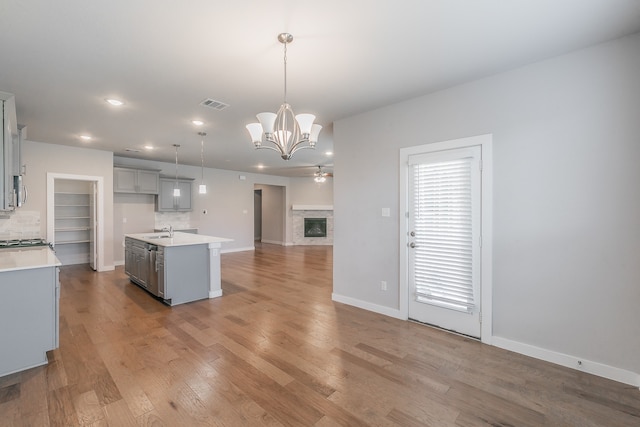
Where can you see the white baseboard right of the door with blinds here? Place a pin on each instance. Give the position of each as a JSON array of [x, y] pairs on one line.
[[574, 362]]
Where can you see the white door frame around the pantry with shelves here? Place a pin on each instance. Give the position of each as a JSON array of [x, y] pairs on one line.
[[99, 207]]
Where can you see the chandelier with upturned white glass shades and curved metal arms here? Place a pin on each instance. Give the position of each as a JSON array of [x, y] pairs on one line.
[[286, 131]]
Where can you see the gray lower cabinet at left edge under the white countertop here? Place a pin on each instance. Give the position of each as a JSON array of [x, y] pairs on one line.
[[29, 317]]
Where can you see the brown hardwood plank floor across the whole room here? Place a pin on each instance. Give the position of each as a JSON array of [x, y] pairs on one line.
[[275, 350]]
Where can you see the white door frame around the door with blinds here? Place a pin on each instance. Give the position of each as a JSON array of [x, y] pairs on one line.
[[486, 275]]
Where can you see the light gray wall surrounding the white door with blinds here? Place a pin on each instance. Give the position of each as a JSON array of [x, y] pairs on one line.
[[566, 266]]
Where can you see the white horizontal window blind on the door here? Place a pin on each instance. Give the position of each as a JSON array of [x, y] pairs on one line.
[[443, 226]]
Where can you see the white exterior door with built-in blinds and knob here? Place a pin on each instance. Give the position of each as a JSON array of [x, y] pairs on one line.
[[445, 238]]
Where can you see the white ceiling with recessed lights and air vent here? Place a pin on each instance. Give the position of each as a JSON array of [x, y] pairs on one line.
[[63, 58]]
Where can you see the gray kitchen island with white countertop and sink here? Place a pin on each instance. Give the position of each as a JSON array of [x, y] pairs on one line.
[[176, 268]]
